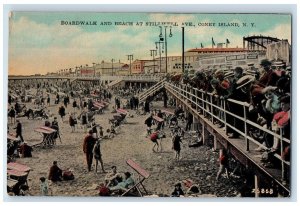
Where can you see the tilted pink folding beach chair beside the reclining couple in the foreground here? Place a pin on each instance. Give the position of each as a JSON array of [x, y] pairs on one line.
[[144, 175]]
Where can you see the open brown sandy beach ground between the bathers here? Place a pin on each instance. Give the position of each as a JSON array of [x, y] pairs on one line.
[[198, 164]]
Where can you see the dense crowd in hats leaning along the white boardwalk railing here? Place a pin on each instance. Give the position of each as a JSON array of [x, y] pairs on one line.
[[266, 89]]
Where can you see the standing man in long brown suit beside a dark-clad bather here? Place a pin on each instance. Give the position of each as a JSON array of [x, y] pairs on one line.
[[88, 146]]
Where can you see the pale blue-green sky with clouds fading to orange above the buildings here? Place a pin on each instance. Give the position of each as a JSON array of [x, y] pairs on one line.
[[38, 43]]
